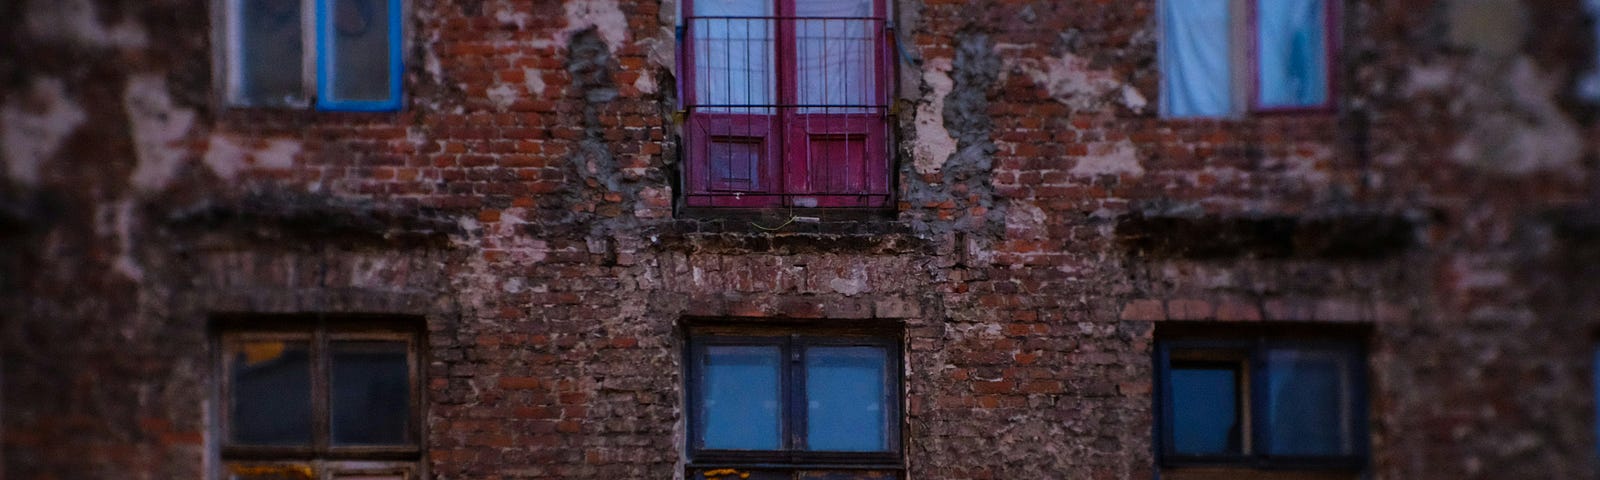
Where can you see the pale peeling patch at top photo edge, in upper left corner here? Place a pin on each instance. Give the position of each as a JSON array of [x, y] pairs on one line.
[[78, 22]]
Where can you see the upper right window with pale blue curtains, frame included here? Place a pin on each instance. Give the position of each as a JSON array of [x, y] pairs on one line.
[[1286, 47]]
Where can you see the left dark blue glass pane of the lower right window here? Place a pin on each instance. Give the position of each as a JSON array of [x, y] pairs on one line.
[[1206, 410]]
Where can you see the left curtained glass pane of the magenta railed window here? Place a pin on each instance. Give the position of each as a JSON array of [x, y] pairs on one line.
[[734, 55]]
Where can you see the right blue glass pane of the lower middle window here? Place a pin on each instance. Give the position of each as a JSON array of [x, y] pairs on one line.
[[846, 406]]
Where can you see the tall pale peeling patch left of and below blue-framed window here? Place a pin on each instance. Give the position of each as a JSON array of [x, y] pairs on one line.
[[159, 130]]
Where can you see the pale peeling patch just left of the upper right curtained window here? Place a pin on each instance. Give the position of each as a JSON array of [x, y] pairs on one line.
[[1073, 82]]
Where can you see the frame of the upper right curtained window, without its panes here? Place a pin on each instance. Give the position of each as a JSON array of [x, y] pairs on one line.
[[1244, 65]]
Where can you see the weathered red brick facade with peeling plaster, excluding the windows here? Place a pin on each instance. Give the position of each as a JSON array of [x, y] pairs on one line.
[[1049, 228]]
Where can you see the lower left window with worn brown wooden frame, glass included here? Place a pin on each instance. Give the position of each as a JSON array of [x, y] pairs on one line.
[[319, 401]]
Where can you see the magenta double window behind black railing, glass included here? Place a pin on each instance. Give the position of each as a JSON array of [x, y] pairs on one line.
[[786, 103]]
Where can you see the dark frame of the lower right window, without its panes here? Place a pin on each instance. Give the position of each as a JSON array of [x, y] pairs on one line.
[[1257, 434]]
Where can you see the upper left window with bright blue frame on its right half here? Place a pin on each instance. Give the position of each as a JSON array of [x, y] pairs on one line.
[[353, 63]]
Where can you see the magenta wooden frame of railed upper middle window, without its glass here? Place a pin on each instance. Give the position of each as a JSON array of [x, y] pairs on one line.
[[783, 137]]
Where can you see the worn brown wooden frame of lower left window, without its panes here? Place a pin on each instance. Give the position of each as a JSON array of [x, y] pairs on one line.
[[319, 334]]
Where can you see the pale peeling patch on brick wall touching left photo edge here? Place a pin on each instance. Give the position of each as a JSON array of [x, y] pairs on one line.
[[34, 126]]
